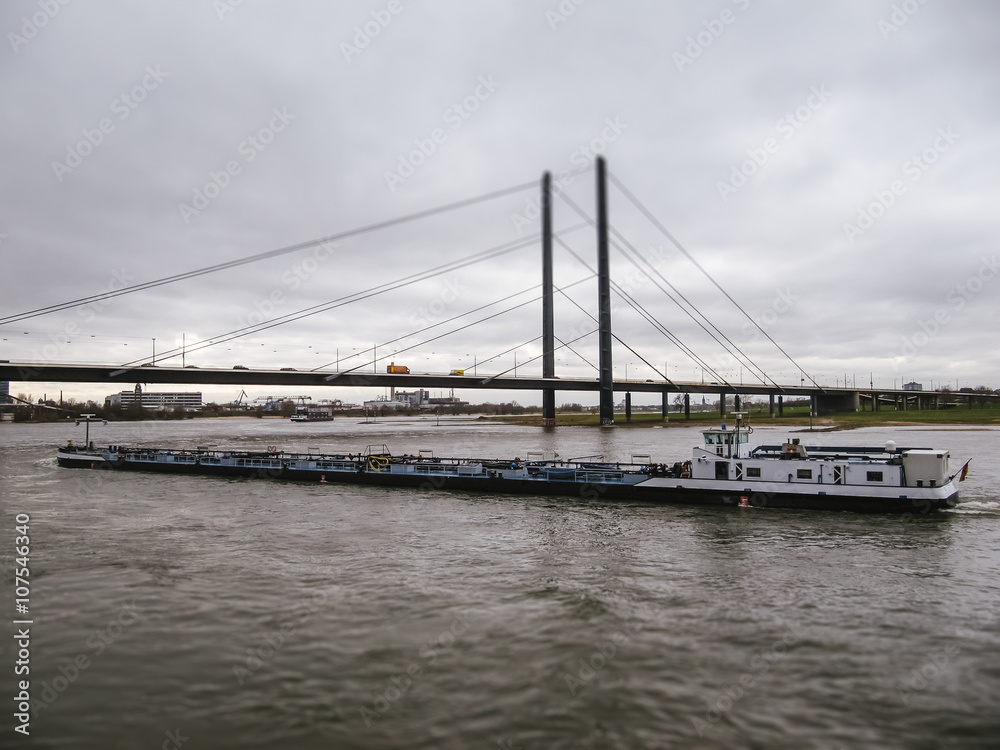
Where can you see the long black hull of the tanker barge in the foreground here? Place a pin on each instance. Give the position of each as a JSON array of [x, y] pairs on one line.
[[552, 487]]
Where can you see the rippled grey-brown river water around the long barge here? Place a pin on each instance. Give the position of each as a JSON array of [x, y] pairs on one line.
[[198, 612]]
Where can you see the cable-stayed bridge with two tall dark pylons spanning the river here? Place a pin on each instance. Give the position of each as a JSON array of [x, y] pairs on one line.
[[369, 374]]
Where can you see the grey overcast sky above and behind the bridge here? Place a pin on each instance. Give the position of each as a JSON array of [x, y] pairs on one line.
[[832, 165]]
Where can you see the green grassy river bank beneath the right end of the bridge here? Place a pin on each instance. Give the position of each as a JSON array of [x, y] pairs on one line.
[[797, 416]]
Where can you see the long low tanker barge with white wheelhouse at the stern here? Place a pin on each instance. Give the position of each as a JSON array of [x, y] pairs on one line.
[[722, 471]]
